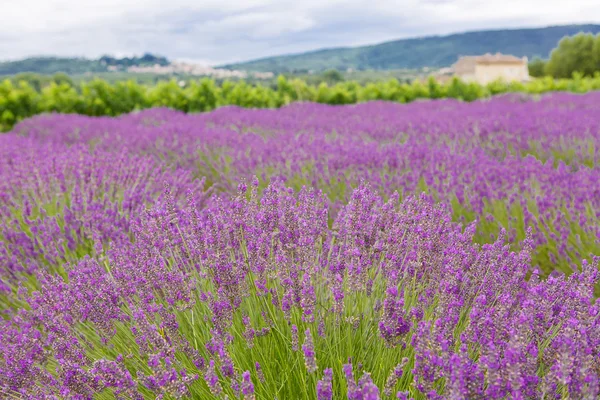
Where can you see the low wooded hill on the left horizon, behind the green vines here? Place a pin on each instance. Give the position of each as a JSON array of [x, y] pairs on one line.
[[73, 66]]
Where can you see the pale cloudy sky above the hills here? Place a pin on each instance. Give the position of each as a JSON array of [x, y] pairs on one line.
[[222, 31]]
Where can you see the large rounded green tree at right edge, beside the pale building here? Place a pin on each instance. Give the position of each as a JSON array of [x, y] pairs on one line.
[[573, 54]]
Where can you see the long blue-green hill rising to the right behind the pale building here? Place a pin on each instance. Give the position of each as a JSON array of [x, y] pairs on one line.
[[432, 51]]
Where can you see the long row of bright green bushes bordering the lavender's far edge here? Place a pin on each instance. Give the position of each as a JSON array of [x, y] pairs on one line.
[[19, 100]]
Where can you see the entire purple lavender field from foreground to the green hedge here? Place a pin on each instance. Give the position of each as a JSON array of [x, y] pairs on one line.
[[433, 250]]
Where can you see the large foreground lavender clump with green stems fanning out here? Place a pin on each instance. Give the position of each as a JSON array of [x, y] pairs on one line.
[[424, 311]]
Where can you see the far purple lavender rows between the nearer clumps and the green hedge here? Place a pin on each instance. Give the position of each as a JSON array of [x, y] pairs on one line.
[[507, 161]]
